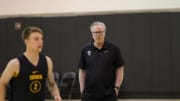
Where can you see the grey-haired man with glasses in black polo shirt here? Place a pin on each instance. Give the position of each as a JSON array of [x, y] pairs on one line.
[[100, 68]]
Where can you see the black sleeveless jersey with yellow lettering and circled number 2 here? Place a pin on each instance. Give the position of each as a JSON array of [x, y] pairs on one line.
[[29, 85]]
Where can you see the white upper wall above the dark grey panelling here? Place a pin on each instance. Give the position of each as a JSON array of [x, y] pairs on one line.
[[78, 7]]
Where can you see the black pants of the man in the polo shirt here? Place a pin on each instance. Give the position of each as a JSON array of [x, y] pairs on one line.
[[109, 98]]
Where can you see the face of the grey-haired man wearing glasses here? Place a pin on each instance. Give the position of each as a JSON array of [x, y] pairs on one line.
[[98, 33]]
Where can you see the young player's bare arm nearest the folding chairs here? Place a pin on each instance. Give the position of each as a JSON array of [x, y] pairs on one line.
[[51, 84]]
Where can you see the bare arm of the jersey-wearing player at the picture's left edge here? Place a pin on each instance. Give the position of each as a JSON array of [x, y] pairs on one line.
[[10, 70]]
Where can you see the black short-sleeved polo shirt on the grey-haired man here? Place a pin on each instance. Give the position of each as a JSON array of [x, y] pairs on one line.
[[100, 66]]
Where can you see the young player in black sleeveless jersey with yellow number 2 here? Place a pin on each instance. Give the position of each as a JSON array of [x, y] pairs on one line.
[[29, 72]]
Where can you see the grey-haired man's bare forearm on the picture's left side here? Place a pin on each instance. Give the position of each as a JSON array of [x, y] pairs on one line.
[[82, 76]]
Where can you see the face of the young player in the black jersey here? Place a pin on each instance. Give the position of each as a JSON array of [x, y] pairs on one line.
[[34, 42]]
